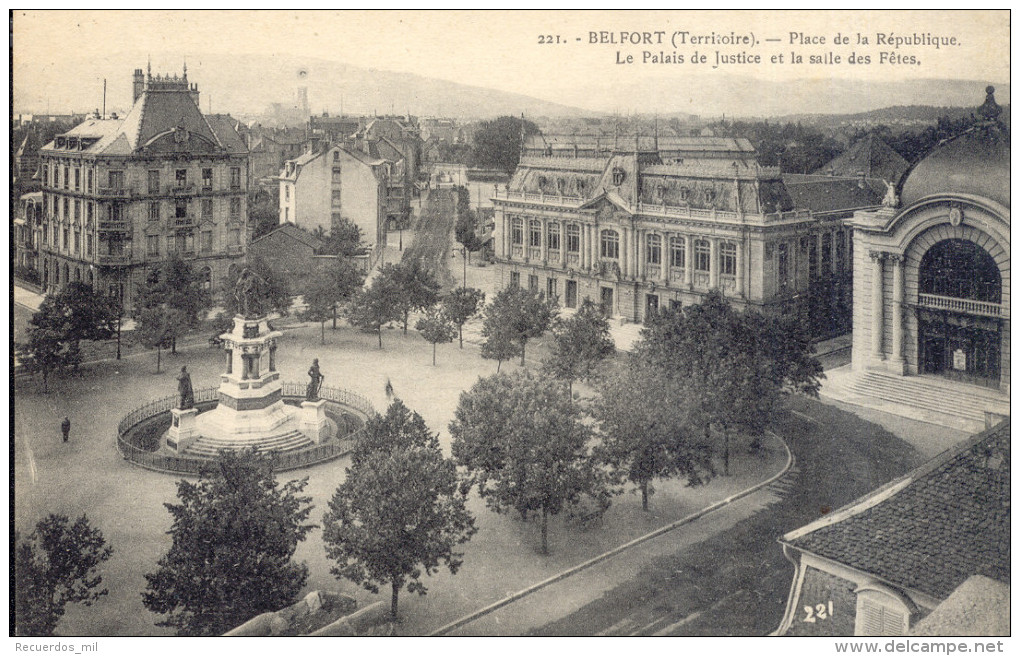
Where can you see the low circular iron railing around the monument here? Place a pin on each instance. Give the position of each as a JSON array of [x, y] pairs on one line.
[[196, 466]]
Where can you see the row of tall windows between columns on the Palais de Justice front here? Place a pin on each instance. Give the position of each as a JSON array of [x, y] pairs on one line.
[[609, 246]]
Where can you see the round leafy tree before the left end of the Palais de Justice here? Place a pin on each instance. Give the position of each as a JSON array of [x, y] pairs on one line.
[[517, 315]]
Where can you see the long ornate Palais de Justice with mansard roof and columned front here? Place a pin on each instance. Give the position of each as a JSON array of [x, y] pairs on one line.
[[643, 227]]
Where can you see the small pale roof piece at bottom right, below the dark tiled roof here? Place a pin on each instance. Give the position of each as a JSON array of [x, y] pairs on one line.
[[980, 607]]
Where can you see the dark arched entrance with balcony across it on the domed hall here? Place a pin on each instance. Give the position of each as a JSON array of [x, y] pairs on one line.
[[960, 292]]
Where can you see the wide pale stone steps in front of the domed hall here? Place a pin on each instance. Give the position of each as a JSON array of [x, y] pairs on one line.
[[954, 400]]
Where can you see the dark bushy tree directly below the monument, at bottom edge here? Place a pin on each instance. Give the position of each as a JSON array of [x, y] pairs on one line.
[[234, 540]]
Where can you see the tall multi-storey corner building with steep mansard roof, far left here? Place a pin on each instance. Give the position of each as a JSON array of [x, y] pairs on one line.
[[121, 194]]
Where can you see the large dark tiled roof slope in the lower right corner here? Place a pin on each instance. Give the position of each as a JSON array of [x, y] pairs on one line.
[[932, 530]]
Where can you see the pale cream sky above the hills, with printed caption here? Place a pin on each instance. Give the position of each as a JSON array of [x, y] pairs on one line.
[[502, 51]]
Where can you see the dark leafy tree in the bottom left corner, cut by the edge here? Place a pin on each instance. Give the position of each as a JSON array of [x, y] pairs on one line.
[[57, 566]]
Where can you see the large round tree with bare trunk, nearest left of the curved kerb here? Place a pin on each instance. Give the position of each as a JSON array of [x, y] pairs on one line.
[[526, 446]]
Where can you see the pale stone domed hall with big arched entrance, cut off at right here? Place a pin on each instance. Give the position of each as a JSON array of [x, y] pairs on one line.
[[932, 271]]
